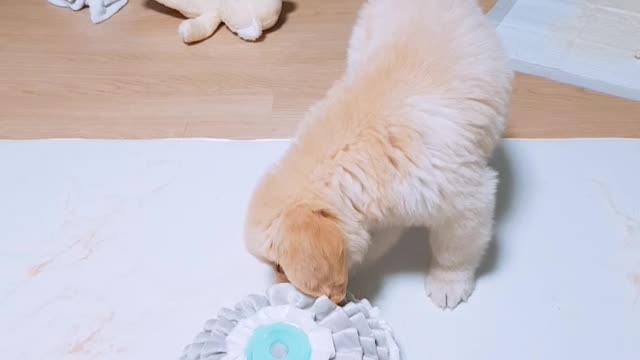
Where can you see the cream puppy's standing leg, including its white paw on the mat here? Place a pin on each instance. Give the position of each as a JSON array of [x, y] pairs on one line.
[[459, 241]]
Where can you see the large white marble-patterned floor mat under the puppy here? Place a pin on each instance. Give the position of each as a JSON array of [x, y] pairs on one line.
[[121, 249]]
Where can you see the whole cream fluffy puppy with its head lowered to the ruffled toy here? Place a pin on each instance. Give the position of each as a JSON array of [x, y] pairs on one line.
[[402, 139]]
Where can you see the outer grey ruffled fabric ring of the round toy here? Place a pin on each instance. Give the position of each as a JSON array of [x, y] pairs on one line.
[[357, 331]]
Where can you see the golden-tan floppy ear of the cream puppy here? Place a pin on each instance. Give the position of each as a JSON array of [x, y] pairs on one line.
[[312, 254]]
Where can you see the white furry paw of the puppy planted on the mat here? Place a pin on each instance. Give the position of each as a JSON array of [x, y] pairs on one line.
[[448, 288]]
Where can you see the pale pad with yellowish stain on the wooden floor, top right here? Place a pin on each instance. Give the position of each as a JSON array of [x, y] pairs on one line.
[[588, 43]]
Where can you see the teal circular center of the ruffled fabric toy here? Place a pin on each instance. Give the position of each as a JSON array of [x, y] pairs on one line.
[[278, 342]]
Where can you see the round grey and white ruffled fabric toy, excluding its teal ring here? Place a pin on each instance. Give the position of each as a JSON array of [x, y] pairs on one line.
[[354, 331]]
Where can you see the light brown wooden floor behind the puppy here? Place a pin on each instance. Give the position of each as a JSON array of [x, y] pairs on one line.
[[131, 77]]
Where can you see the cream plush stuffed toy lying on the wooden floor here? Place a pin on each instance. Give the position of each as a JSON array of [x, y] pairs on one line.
[[247, 18]]
